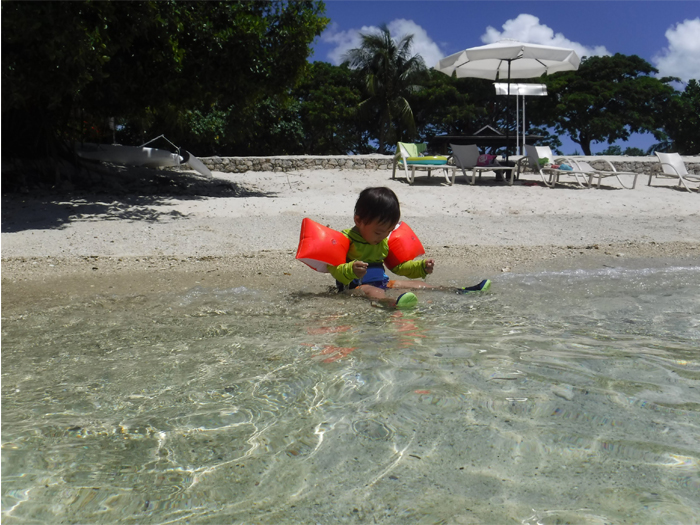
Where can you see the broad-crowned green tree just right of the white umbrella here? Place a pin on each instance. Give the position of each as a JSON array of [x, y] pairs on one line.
[[607, 99]]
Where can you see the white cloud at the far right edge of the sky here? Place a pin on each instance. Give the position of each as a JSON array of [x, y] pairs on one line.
[[682, 56]]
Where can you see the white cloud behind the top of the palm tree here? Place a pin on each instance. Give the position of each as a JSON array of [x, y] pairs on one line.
[[345, 40]]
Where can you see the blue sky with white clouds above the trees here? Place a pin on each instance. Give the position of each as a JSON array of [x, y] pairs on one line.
[[666, 33]]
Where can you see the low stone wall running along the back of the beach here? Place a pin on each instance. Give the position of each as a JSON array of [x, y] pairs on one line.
[[645, 165]]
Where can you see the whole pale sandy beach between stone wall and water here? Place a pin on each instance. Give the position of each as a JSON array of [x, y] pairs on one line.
[[243, 229]]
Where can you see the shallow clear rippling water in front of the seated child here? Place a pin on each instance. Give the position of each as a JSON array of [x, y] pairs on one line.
[[556, 398]]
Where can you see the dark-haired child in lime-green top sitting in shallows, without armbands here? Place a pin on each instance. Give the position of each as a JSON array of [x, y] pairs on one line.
[[377, 212]]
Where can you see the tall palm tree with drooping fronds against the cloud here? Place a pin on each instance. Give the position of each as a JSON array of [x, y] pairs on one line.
[[390, 73]]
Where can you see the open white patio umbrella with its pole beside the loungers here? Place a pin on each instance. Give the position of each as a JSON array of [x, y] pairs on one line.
[[509, 59]]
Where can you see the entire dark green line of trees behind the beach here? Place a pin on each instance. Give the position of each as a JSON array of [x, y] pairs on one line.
[[232, 78]]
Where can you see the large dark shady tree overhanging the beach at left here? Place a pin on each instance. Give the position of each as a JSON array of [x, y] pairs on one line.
[[68, 66]]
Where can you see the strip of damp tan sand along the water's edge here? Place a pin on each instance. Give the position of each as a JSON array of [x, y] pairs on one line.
[[53, 281]]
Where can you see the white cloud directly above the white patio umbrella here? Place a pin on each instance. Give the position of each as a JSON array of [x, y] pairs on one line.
[[527, 28]]
